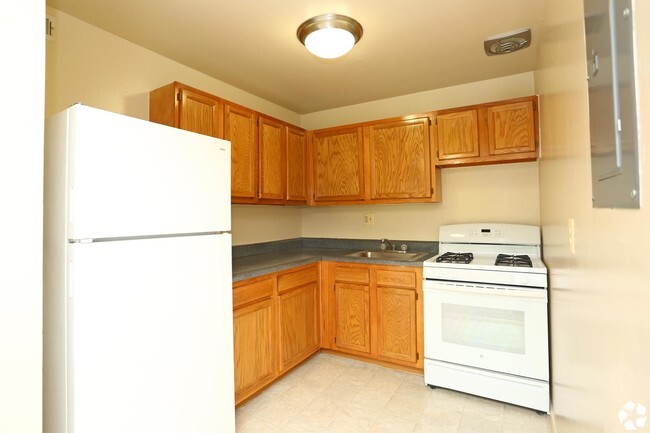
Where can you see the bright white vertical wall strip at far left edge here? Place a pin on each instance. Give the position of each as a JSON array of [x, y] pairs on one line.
[[21, 218]]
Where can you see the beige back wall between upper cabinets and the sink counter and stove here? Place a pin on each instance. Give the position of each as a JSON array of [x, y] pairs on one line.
[[496, 193]]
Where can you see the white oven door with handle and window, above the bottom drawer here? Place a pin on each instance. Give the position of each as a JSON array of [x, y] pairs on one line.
[[498, 328]]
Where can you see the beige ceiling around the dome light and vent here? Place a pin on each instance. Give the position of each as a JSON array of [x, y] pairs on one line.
[[407, 47]]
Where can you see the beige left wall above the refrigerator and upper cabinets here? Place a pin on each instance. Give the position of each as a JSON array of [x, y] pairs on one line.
[[86, 64]]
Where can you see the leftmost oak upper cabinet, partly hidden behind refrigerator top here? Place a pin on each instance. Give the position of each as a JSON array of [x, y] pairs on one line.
[[186, 108]]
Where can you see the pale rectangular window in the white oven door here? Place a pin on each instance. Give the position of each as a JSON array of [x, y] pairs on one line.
[[484, 328]]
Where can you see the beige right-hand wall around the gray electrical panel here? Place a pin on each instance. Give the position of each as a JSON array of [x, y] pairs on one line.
[[599, 296]]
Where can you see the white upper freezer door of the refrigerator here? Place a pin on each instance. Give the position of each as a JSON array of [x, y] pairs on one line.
[[129, 177]]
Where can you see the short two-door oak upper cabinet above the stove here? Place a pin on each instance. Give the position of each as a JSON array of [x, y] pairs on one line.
[[493, 133]]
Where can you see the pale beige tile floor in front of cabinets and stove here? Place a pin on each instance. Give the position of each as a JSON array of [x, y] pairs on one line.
[[331, 394]]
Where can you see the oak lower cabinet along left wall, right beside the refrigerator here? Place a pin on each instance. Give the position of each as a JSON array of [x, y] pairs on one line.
[[276, 325]]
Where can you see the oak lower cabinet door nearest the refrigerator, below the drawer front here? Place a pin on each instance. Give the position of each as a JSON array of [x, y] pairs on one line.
[[253, 344]]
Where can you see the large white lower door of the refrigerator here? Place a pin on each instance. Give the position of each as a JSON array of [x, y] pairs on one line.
[[150, 344]]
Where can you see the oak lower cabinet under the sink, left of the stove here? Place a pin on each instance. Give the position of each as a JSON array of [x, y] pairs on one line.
[[374, 312]]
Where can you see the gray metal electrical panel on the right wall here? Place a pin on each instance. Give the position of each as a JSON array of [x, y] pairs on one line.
[[612, 104]]
